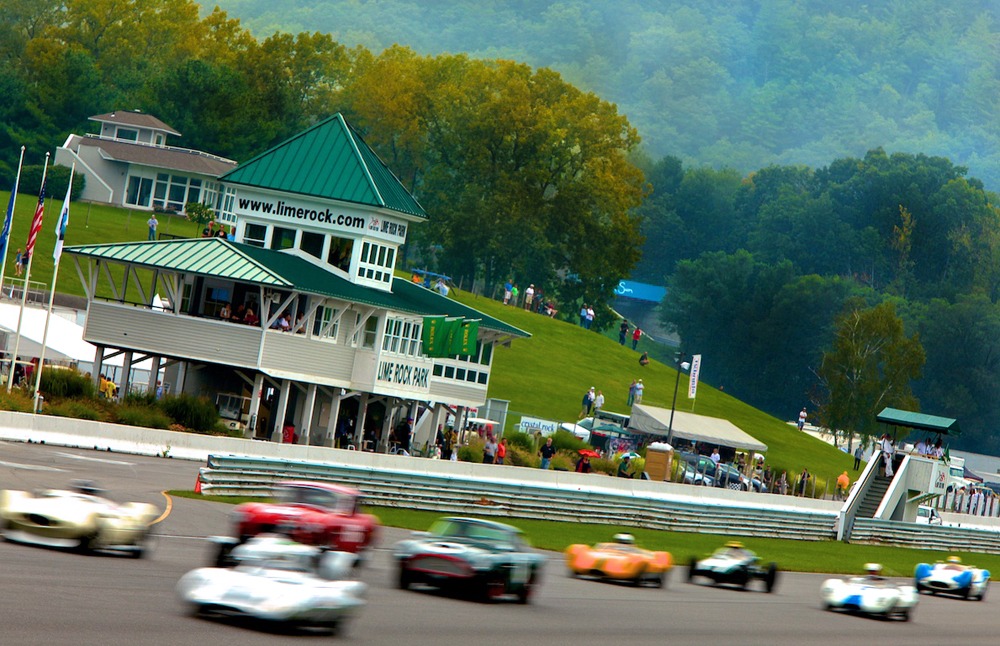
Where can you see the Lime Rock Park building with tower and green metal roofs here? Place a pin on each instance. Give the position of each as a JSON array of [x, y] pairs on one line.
[[298, 322]]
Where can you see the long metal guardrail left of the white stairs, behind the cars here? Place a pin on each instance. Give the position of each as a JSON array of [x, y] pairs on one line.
[[246, 476]]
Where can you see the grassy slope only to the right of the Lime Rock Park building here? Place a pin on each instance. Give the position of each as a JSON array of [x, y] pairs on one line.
[[545, 376]]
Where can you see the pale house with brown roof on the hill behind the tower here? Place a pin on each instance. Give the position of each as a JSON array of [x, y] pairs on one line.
[[129, 164]]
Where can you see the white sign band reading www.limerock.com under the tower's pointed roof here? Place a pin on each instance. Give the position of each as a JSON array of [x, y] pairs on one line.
[[292, 211]]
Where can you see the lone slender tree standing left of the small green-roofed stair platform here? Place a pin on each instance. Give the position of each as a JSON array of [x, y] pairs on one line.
[[871, 365]]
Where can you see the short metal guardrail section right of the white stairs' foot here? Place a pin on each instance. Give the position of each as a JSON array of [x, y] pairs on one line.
[[931, 537]]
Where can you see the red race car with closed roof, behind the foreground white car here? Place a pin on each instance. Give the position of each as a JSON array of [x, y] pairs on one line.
[[312, 513]]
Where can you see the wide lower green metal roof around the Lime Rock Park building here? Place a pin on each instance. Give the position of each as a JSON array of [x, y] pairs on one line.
[[246, 263]]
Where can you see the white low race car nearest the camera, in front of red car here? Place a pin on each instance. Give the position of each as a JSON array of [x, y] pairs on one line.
[[275, 579]]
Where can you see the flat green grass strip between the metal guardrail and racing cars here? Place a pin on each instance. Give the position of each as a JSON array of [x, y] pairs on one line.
[[791, 555]]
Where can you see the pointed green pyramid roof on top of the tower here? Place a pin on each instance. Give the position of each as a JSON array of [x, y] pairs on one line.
[[330, 160]]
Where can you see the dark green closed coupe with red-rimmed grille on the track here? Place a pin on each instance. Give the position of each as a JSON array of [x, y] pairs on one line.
[[481, 558]]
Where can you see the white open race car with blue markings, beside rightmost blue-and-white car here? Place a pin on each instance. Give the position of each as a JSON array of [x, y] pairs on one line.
[[870, 594]]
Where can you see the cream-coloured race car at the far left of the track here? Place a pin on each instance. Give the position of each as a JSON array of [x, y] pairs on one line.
[[79, 519]]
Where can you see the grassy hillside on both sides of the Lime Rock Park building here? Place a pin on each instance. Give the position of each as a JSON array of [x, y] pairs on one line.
[[544, 376]]
